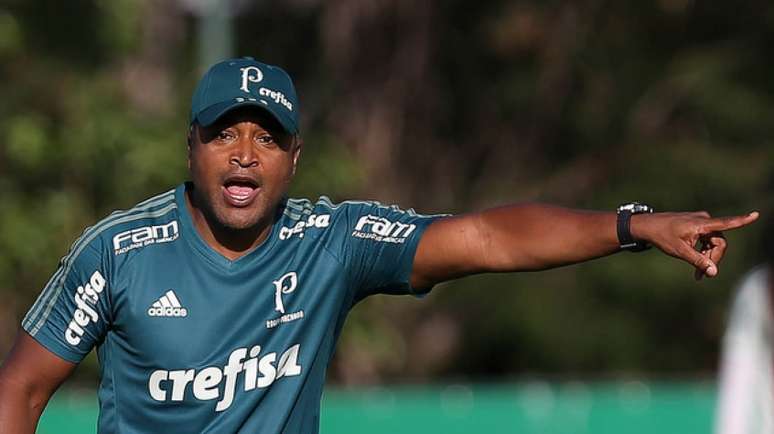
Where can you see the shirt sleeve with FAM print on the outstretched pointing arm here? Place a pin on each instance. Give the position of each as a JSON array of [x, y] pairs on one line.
[[377, 247]]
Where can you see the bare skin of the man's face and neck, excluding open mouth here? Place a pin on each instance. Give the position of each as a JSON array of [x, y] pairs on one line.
[[246, 144]]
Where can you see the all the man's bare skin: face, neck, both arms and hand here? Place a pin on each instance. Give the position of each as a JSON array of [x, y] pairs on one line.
[[248, 144]]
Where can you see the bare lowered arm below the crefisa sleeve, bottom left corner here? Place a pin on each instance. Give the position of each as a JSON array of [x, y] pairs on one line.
[[28, 377]]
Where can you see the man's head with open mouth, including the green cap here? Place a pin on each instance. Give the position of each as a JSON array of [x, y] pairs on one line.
[[243, 143]]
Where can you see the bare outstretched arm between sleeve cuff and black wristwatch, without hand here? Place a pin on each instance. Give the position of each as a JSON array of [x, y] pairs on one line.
[[516, 237]]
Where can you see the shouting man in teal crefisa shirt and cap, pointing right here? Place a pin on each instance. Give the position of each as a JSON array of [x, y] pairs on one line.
[[216, 307]]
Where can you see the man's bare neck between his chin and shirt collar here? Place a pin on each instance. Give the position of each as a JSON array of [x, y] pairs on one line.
[[229, 242]]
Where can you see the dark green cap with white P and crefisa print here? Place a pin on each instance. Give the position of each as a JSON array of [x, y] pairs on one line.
[[243, 82]]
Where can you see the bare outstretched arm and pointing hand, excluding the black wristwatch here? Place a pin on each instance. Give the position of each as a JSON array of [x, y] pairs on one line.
[[536, 237]]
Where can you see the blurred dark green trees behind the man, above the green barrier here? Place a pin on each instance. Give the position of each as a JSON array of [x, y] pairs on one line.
[[440, 106]]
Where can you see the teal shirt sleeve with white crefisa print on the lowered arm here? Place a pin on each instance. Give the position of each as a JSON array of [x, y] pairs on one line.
[[71, 315]]
